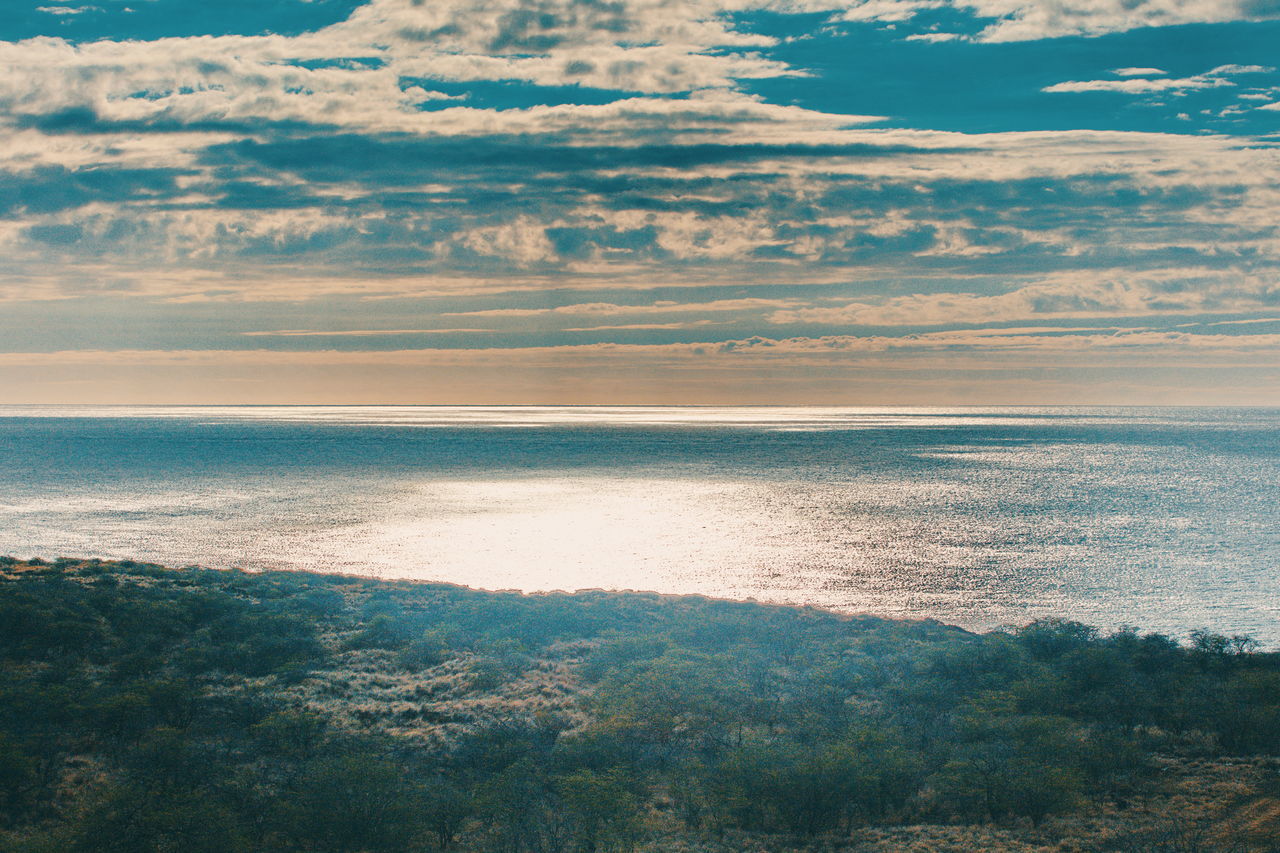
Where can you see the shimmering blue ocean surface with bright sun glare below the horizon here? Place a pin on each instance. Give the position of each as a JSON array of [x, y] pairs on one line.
[[1164, 519]]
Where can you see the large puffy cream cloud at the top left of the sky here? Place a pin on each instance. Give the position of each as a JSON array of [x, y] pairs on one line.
[[360, 72]]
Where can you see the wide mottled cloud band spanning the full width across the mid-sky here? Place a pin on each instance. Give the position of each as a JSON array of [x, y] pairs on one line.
[[396, 215]]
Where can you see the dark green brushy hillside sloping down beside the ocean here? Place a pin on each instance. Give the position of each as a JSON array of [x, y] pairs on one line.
[[147, 709]]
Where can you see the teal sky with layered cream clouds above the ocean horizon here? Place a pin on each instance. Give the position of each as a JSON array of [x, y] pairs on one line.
[[641, 202]]
